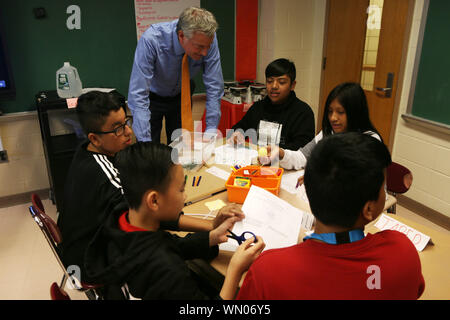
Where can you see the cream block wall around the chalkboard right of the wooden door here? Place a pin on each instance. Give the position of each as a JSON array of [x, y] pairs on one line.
[[425, 152]]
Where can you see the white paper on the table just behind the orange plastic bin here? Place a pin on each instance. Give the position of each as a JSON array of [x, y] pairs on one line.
[[230, 155]]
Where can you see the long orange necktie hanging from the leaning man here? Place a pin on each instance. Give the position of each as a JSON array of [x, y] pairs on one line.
[[186, 110]]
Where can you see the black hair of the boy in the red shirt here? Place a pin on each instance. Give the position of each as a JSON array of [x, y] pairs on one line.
[[344, 171]]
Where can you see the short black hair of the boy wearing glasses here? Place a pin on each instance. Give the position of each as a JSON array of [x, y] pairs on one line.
[[94, 107]]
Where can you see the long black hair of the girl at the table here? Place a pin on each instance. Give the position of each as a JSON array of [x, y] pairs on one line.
[[352, 97]]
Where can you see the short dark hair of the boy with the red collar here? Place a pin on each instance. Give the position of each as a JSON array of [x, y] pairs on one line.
[[144, 166]]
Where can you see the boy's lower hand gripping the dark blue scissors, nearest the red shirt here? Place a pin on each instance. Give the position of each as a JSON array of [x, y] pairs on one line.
[[245, 254]]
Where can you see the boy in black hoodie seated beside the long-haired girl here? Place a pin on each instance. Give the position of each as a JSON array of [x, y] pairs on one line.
[[280, 118]]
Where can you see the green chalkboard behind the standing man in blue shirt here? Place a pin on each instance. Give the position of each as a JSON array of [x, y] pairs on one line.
[[102, 50]]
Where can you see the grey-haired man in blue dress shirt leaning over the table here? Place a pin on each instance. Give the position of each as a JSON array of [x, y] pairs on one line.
[[155, 83]]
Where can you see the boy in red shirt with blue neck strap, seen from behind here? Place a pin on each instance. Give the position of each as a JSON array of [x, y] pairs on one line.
[[344, 181]]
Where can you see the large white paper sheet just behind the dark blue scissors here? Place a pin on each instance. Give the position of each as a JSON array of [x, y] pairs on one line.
[[270, 217]]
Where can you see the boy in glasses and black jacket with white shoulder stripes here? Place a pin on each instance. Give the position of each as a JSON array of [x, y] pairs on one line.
[[93, 187]]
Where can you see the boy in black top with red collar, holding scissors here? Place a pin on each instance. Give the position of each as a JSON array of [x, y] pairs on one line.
[[134, 258]]
